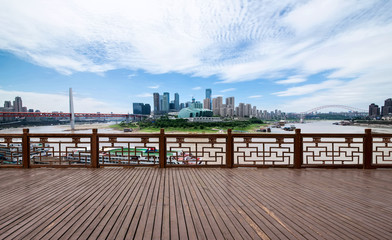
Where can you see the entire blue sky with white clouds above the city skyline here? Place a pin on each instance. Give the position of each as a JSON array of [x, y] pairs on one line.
[[290, 55]]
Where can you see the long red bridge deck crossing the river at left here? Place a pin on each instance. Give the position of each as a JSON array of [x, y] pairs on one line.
[[68, 115]]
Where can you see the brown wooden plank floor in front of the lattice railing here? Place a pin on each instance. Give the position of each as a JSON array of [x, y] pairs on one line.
[[152, 203]]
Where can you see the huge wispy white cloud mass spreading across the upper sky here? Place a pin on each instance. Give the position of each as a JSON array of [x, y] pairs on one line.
[[235, 41]]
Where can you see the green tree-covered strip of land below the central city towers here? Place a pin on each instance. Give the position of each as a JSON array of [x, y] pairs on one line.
[[183, 125]]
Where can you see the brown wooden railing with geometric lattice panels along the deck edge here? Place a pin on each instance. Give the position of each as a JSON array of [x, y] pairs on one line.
[[297, 150]]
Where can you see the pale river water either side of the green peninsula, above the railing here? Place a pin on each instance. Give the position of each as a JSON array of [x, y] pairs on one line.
[[308, 127]]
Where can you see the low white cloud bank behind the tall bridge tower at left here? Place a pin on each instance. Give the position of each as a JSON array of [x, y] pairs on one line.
[[60, 102]]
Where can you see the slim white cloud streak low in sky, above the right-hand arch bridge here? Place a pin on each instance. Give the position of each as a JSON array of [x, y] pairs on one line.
[[310, 88]]
